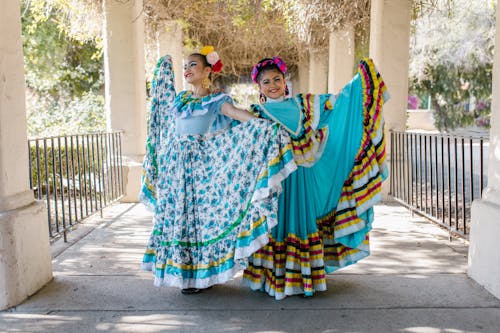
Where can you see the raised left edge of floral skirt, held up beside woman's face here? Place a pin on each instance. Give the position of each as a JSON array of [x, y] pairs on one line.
[[160, 128]]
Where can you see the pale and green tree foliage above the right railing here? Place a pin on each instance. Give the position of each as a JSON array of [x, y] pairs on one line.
[[451, 61]]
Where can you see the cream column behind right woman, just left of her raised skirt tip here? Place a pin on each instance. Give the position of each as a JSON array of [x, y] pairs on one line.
[[340, 59]]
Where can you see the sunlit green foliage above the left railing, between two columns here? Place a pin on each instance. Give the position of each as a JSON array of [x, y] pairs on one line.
[[64, 75]]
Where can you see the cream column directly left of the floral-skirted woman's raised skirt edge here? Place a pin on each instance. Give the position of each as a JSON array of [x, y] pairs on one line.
[[126, 85]]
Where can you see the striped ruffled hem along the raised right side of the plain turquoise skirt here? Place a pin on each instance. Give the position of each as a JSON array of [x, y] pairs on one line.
[[362, 189]]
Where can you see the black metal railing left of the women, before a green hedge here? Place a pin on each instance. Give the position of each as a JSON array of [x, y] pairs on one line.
[[77, 176]]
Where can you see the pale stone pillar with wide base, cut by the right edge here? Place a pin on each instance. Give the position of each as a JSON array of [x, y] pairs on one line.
[[484, 249]]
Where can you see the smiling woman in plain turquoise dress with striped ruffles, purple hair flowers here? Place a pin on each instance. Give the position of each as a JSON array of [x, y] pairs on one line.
[[326, 207]]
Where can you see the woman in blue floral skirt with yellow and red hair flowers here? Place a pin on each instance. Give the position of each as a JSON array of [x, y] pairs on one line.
[[212, 183]]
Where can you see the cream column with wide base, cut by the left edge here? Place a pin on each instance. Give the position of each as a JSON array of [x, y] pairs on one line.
[[25, 260]]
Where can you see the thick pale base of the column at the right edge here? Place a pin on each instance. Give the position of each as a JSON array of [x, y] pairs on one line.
[[484, 249]]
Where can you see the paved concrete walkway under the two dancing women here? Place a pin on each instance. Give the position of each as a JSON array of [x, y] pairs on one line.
[[414, 281]]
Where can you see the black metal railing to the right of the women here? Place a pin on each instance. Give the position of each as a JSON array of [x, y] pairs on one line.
[[438, 176]]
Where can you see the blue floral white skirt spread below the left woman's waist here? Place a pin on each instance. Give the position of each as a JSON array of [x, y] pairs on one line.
[[216, 202]]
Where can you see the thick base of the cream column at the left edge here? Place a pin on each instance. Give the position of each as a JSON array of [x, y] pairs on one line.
[[25, 259]]
